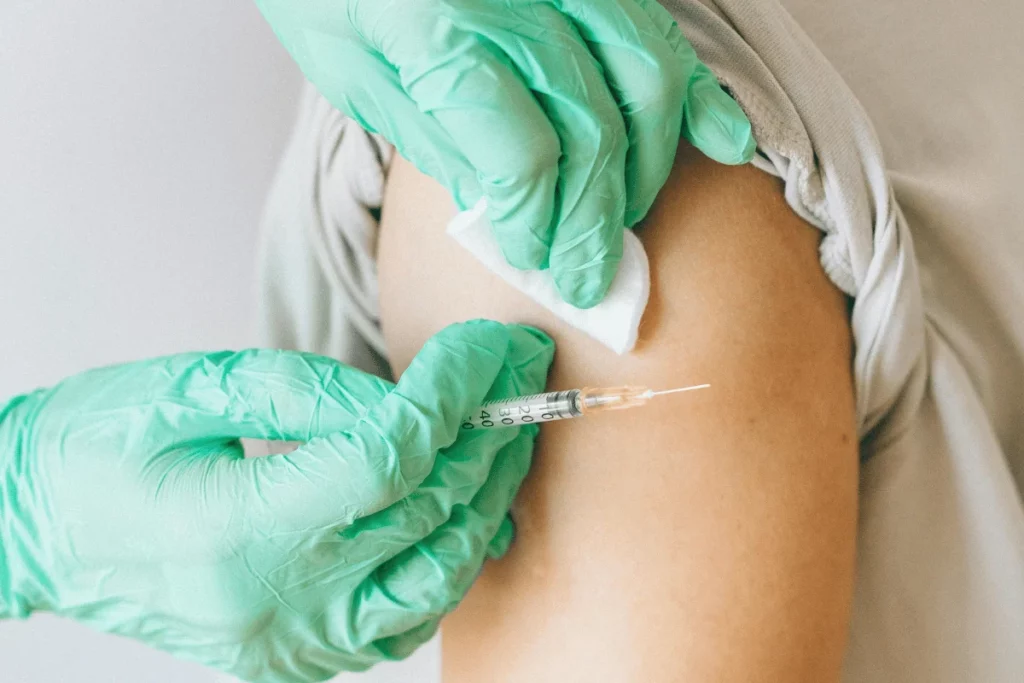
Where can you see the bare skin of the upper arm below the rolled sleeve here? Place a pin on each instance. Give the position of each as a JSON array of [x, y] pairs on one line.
[[708, 537]]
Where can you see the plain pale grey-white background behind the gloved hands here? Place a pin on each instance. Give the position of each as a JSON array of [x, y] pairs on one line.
[[137, 143]]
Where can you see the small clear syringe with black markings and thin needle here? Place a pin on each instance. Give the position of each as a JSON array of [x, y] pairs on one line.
[[563, 406]]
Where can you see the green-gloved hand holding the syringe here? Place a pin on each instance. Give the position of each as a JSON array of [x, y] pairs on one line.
[[126, 503]]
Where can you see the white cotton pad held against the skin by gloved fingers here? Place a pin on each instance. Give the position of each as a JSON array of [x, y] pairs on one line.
[[615, 322]]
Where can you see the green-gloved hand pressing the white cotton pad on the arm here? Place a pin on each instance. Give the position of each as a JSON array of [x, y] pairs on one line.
[[565, 114]]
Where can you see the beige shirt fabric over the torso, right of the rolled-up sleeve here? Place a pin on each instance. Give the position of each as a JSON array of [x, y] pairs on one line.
[[944, 84]]
